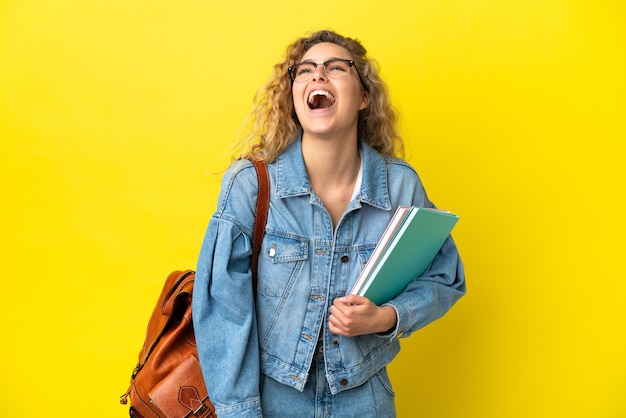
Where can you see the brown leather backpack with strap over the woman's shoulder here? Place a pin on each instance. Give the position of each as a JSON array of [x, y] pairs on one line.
[[167, 382]]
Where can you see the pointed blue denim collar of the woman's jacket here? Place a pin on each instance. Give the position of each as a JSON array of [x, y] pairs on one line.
[[293, 180]]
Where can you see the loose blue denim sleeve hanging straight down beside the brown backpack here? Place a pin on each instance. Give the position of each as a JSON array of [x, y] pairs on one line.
[[223, 311]]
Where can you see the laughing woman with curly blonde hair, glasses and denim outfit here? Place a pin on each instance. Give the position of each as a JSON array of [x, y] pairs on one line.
[[304, 347]]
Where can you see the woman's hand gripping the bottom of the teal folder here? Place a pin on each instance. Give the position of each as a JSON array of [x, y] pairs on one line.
[[354, 315]]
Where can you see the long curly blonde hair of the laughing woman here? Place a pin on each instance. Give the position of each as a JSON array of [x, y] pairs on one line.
[[272, 125]]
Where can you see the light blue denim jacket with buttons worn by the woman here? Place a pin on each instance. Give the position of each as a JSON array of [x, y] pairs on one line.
[[304, 264]]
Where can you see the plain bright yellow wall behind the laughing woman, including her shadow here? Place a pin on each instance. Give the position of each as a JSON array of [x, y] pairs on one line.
[[115, 115]]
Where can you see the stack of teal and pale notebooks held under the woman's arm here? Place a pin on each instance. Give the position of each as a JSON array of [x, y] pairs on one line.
[[407, 248]]
